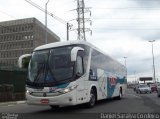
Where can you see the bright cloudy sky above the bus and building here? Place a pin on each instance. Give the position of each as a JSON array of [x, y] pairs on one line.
[[121, 28]]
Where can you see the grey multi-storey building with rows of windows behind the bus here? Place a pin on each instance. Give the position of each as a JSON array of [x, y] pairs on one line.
[[19, 37]]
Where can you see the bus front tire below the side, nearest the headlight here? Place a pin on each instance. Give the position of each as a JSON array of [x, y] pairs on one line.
[[92, 100]]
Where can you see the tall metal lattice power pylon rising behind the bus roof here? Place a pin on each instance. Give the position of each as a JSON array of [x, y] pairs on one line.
[[81, 20]]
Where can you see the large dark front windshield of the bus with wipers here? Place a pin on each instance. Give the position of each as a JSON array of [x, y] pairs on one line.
[[50, 67]]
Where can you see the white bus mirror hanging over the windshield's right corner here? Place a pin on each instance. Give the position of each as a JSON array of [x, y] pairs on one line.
[[74, 52]]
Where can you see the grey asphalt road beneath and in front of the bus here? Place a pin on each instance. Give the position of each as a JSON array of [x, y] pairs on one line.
[[130, 103]]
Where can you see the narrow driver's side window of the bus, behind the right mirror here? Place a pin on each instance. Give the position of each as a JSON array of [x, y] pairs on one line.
[[79, 65]]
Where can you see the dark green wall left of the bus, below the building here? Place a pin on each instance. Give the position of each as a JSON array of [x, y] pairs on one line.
[[12, 85]]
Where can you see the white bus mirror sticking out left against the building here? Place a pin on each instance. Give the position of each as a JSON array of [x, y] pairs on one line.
[[23, 60]]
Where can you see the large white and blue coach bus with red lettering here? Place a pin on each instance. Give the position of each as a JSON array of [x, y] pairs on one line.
[[71, 73]]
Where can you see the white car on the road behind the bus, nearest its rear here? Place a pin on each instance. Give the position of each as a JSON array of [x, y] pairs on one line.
[[143, 88]]
